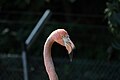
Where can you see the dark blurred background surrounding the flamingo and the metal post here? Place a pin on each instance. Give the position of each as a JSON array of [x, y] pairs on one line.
[[94, 57]]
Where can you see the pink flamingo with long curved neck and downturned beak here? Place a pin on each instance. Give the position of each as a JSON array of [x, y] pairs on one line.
[[61, 37]]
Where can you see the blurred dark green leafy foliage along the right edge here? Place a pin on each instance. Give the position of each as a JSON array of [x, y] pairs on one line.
[[112, 13]]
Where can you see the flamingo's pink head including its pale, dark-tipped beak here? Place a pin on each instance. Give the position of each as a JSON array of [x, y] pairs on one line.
[[61, 37]]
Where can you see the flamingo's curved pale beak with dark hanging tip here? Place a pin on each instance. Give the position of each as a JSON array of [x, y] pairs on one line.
[[69, 46]]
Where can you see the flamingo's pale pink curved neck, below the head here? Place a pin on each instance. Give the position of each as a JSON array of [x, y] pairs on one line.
[[48, 60]]
